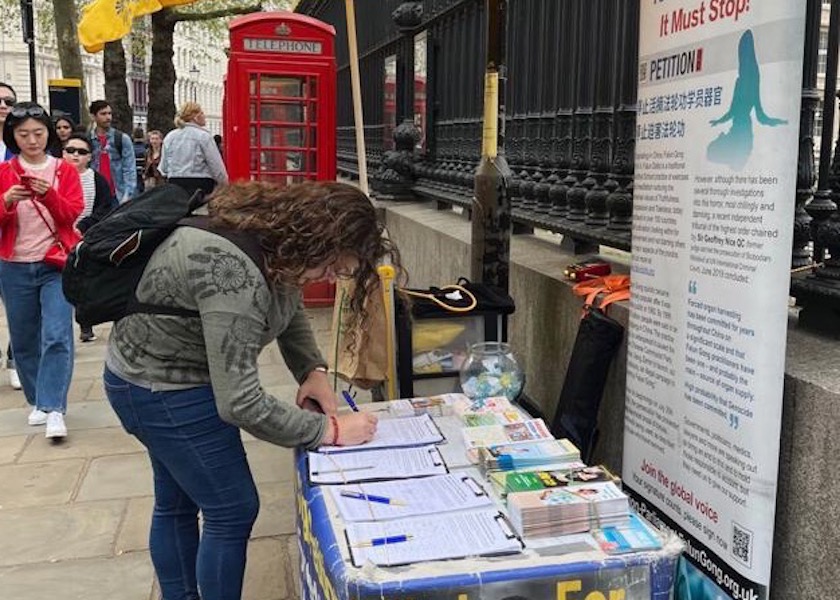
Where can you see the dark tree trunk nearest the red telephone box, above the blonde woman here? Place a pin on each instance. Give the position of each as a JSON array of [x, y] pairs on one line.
[[162, 73]]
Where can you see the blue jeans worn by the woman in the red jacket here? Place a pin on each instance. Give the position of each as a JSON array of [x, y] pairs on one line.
[[41, 332]]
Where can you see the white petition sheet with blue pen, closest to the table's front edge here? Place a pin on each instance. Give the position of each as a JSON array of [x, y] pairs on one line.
[[477, 533]]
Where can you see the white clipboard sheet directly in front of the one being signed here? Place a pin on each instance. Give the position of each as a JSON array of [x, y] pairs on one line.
[[370, 465]]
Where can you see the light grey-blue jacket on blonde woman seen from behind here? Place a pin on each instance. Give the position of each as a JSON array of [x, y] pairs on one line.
[[191, 152]]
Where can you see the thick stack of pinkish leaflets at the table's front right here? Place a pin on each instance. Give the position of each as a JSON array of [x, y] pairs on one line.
[[561, 511]]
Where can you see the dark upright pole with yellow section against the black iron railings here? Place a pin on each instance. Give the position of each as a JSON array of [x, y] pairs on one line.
[[490, 258]]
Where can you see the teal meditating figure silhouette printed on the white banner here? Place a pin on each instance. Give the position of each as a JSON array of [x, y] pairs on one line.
[[734, 147]]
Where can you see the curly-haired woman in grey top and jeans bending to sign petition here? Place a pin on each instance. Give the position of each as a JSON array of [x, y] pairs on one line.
[[184, 386]]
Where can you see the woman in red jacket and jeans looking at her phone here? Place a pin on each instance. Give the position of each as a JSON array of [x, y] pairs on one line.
[[40, 200]]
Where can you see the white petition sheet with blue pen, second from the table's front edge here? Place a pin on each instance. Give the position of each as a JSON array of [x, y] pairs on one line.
[[413, 497]]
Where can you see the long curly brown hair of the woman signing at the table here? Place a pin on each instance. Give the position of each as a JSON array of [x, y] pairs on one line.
[[306, 226]]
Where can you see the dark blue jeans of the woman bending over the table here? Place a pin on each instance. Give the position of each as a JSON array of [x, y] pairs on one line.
[[199, 463]]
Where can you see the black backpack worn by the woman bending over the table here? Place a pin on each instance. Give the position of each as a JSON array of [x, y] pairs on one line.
[[103, 270]]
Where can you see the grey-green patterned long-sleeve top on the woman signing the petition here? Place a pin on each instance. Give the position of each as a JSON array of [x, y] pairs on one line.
[[240, 315]]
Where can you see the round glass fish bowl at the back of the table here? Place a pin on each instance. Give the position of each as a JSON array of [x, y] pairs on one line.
[[490, 369]]
